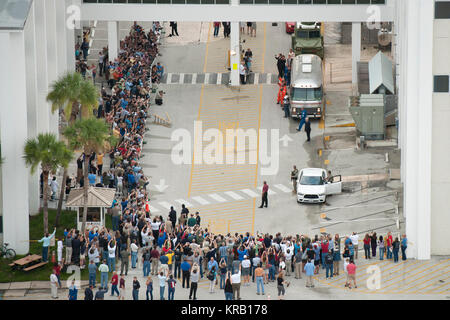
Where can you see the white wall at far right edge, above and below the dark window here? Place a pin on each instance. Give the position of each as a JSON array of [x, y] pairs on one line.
[[440, 181]]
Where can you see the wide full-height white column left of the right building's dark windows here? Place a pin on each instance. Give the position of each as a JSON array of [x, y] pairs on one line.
[[419, 97]]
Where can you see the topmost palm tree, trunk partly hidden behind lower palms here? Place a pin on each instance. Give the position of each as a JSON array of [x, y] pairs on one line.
[[72, 93]]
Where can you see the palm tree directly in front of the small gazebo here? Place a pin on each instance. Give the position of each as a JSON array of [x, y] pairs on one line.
[[92, 135]]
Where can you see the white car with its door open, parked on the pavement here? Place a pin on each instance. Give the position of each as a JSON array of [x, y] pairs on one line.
[[313, 185]]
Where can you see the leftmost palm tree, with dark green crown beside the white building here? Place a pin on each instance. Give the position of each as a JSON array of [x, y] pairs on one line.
[[50, 153]]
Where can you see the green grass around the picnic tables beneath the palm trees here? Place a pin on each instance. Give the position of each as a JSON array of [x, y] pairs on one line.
[[67, 220]]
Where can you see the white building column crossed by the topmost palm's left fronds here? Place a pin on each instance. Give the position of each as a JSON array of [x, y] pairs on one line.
[[52, 57]]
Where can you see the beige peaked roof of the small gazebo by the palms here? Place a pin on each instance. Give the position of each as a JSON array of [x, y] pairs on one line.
[[97, 197]]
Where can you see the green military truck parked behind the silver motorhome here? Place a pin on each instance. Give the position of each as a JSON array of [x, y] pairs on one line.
[[307, 39]]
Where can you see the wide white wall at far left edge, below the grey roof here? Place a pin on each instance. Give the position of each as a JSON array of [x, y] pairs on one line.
[[13, 123]]
